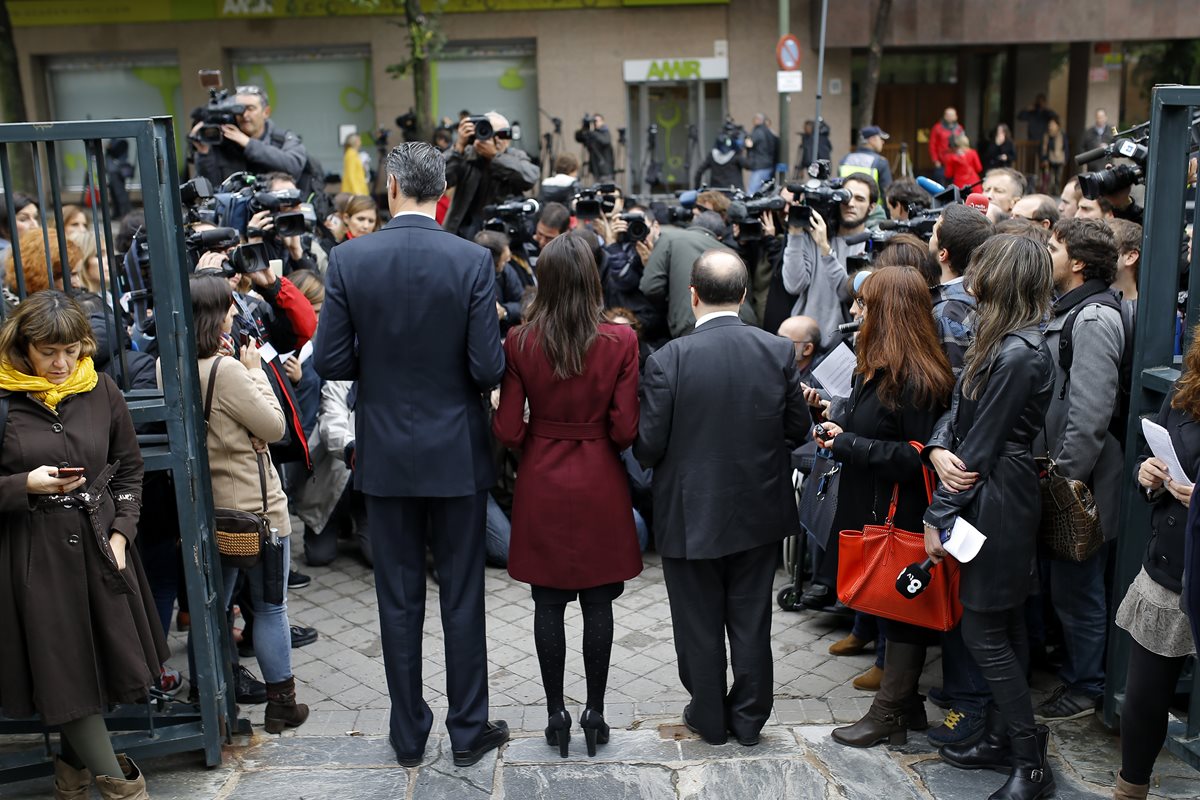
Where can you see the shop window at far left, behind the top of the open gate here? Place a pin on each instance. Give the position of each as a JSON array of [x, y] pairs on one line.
[[83, 88]]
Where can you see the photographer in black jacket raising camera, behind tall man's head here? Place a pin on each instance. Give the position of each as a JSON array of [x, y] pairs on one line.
[[484, 170]]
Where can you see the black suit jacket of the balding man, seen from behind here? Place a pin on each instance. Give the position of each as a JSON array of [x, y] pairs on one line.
[[718, 407]]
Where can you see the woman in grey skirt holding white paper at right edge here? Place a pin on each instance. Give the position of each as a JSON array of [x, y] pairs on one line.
[[1153, 610]]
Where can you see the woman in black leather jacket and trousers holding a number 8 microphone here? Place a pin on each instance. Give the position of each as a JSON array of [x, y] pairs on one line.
[[983, 455]]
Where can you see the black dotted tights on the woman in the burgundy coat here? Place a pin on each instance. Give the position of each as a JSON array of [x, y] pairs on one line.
[[550, 637]]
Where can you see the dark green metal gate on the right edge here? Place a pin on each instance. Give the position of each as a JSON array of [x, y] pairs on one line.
[[1156, 369]]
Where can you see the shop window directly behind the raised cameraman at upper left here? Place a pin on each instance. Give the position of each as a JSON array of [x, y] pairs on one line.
[[313, 97]]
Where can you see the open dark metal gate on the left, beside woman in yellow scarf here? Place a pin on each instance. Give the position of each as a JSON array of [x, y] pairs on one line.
[[177, 442]]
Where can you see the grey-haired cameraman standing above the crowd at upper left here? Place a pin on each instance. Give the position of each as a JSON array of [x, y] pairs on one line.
[[237, 135]]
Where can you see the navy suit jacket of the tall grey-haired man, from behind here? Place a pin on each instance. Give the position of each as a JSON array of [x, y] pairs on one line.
[[411, 315]]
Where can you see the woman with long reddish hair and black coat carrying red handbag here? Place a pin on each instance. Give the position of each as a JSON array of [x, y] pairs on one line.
[[902, 388]]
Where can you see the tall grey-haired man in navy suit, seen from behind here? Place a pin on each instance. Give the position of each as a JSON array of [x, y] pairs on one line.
[[411, 315]]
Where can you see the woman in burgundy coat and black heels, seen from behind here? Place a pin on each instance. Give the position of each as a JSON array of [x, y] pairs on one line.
[[573, 526]]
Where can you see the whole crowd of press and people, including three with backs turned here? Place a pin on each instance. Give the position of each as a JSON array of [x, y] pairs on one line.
[[555, 388]]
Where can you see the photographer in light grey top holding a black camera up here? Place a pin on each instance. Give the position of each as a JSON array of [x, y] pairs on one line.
[[814, 262]]
